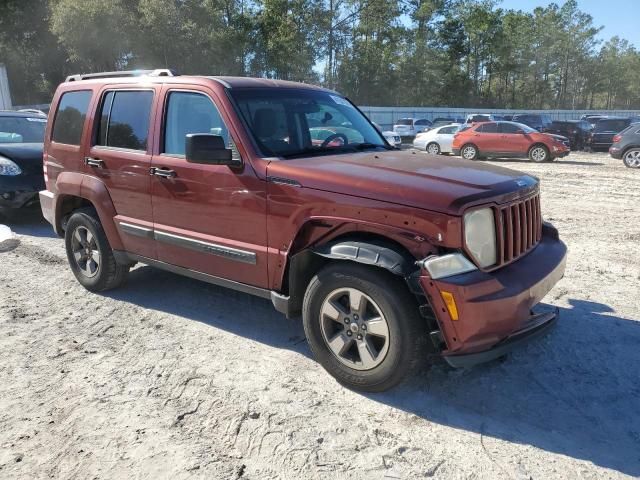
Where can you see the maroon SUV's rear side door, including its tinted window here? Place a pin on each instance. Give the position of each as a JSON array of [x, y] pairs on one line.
[[120, 157]]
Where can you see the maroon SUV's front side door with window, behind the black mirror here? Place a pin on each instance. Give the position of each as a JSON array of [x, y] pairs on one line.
[[207, 218]]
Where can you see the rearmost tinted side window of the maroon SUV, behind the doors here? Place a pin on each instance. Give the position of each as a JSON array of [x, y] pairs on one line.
[[70, 117]]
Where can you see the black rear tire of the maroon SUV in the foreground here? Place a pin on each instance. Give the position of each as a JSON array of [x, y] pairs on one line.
[[108, 273]]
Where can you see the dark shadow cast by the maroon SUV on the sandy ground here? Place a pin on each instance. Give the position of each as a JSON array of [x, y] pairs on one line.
[[574, 392]]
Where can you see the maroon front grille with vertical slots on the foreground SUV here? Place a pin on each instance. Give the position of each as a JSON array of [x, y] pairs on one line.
[[519, 229]]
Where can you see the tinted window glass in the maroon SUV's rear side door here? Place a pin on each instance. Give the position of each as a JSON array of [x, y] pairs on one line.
[[124, 120]]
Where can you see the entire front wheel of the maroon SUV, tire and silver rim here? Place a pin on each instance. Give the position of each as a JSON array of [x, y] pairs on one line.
[[363, 326]]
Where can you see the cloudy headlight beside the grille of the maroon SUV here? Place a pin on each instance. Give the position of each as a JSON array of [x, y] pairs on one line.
[[480, 236]]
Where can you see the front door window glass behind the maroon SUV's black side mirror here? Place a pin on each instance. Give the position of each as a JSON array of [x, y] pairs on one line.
[[186, 113]]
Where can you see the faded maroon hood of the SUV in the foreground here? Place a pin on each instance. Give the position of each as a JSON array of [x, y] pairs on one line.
[[436, 183]]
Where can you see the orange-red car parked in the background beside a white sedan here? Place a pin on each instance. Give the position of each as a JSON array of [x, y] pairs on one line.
[[508, 139]]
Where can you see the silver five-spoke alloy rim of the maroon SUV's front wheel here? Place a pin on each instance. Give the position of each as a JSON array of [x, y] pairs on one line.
[[354, 328]]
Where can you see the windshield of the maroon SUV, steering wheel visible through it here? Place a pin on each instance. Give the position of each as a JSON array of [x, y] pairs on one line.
[[296, 122]]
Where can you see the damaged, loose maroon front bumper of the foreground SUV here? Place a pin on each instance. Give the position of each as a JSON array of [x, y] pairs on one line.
[[494, 308]]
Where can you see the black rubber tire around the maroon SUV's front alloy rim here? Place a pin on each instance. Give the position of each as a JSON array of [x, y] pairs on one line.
[[406, 330]]
